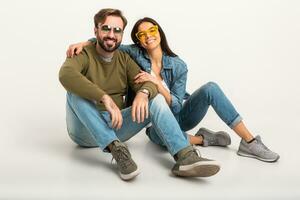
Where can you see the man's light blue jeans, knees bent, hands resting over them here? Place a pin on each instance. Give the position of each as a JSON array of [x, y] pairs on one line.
[[89, 127]]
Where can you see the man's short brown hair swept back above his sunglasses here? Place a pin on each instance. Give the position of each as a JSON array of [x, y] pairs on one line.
[[100, 17]]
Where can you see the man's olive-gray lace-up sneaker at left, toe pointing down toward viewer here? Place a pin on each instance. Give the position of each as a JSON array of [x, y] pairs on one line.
[[127, 167]]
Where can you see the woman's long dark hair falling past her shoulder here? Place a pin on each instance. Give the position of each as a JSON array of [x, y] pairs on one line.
[[164, 44]]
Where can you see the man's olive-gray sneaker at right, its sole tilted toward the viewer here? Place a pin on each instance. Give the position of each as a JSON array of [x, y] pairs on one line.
[[190, 164]]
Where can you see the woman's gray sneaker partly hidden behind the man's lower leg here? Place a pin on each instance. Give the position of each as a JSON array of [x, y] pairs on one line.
[[211, 138]]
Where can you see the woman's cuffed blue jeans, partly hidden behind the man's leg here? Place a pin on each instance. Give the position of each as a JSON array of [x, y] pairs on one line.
[[196, 106]]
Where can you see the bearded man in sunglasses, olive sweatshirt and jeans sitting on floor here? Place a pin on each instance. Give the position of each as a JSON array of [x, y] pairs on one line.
[[97, 81]]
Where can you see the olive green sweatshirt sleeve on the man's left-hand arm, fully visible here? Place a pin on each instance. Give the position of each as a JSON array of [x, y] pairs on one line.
[[71, 76]]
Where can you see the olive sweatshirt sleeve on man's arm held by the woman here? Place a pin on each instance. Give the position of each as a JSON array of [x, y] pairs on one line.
[[132, 70]]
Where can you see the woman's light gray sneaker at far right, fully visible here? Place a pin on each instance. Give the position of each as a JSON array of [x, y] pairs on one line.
[[258, 150]]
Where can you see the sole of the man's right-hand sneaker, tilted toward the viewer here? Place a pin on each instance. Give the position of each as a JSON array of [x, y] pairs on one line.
[[199, 169]]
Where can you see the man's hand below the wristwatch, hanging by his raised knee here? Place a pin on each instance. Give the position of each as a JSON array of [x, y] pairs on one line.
[[140, 107]]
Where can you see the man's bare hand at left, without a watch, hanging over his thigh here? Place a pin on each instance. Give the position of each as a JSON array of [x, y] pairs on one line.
[[114, 111]]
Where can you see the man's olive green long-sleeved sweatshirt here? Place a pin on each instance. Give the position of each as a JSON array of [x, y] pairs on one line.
[[89, 76]]
